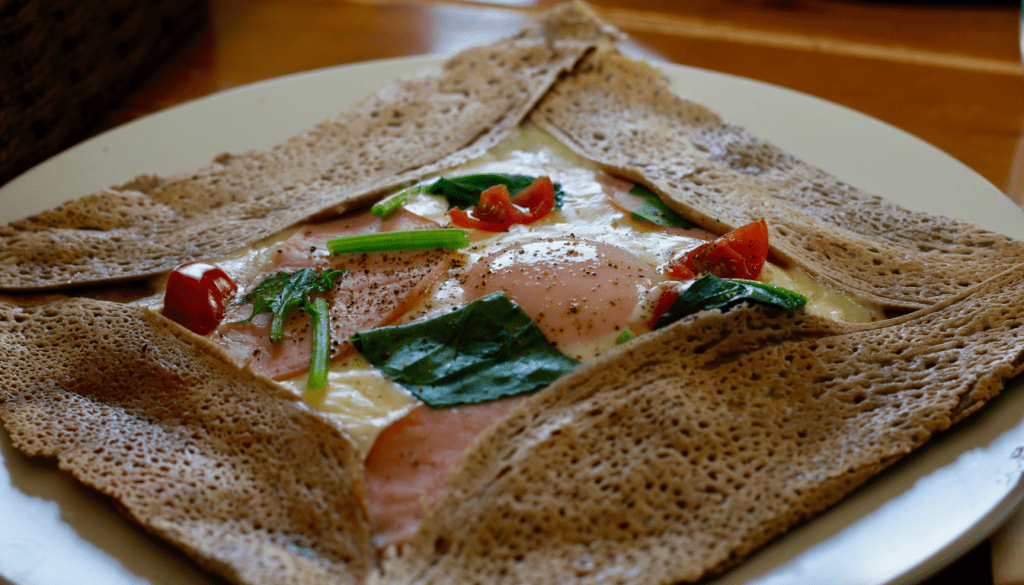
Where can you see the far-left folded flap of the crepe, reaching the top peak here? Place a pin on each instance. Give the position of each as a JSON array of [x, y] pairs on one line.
[[407, 132]]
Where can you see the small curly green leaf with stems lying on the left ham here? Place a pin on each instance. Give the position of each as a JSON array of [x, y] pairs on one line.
[[281, 294]]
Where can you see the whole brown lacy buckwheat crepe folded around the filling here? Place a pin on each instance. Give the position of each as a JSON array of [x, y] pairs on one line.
[[666, 461]]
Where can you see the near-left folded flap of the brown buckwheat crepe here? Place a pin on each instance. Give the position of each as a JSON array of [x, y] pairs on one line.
[[196, 450]]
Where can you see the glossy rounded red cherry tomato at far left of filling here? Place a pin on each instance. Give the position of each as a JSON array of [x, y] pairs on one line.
[[197, 297]]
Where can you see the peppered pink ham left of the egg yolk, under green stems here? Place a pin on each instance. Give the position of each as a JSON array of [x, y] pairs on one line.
[[376, 289]]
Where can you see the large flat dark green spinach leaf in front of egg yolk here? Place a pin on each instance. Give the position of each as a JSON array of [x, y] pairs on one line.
[[485, 351]]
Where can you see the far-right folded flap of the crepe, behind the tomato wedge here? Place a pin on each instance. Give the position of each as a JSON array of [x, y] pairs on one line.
[[622, 114]]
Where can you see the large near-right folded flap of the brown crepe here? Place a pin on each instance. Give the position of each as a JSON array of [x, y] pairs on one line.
[[682, 452]]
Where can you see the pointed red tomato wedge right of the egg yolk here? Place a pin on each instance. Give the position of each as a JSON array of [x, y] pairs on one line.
[[739, 255]]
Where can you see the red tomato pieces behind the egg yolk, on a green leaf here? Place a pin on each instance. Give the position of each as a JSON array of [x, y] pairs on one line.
[[498, 212]]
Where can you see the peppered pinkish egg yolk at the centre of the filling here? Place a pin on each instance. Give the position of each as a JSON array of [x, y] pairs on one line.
[[580, 294]]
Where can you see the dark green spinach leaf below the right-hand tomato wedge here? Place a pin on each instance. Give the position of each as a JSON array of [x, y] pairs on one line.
[[712, 292]]
